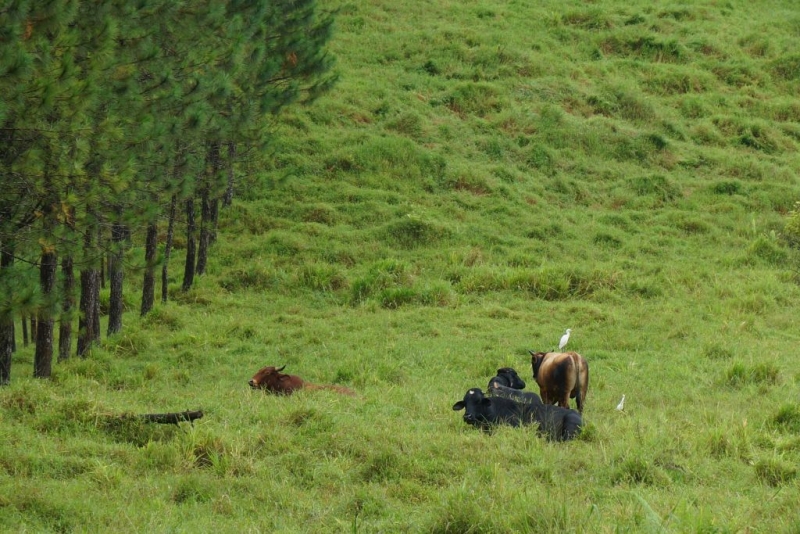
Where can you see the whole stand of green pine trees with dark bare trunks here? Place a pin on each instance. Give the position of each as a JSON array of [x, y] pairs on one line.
[[122, 117]]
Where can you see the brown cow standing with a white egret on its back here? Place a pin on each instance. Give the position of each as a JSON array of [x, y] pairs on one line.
[[561, 376]]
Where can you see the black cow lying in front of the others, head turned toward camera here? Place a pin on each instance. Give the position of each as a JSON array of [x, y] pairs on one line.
[[554, 422]]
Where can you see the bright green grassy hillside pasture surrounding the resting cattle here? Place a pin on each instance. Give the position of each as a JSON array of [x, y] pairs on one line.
[[485, 175]]
